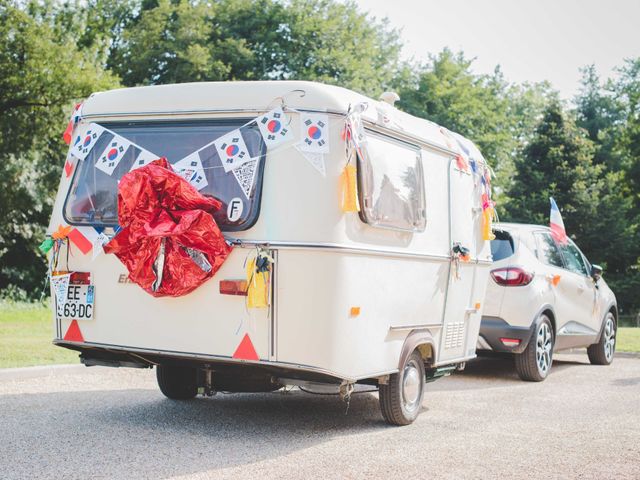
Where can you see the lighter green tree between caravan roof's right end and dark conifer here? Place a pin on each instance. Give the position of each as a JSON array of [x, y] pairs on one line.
[[497, 116]]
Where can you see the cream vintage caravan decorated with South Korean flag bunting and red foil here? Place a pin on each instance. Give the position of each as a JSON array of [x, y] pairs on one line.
[[357, 241]]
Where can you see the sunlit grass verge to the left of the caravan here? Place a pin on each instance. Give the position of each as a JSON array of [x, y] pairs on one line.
[[26, 332]]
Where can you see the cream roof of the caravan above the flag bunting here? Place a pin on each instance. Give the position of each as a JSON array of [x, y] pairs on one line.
[[255, 96]]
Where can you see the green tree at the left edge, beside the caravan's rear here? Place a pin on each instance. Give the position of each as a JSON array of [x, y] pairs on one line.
[[41, 74]]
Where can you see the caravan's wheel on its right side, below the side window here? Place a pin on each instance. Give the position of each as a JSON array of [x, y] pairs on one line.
[[400, 402]]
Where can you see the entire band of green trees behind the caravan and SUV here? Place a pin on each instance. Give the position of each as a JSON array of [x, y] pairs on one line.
[[587, 155]]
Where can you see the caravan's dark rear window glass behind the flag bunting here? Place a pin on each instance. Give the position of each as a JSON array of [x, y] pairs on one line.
[[93, 196]]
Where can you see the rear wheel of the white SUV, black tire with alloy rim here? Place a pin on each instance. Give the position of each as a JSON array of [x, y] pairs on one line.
[[534, 364]]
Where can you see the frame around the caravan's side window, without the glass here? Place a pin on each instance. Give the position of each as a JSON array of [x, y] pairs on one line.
[[420, 222]]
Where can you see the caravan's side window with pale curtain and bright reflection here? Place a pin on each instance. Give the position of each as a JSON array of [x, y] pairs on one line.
[[391, 184]]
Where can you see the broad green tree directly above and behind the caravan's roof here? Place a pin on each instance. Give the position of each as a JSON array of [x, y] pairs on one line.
[[323, 40]]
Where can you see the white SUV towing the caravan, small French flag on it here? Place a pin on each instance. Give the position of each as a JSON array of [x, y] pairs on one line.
[[543, 297]]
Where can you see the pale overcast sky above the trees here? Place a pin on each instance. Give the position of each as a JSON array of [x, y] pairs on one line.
[[532, 40]]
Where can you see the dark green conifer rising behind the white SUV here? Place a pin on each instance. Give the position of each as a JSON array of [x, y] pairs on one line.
[[558, 162]]
